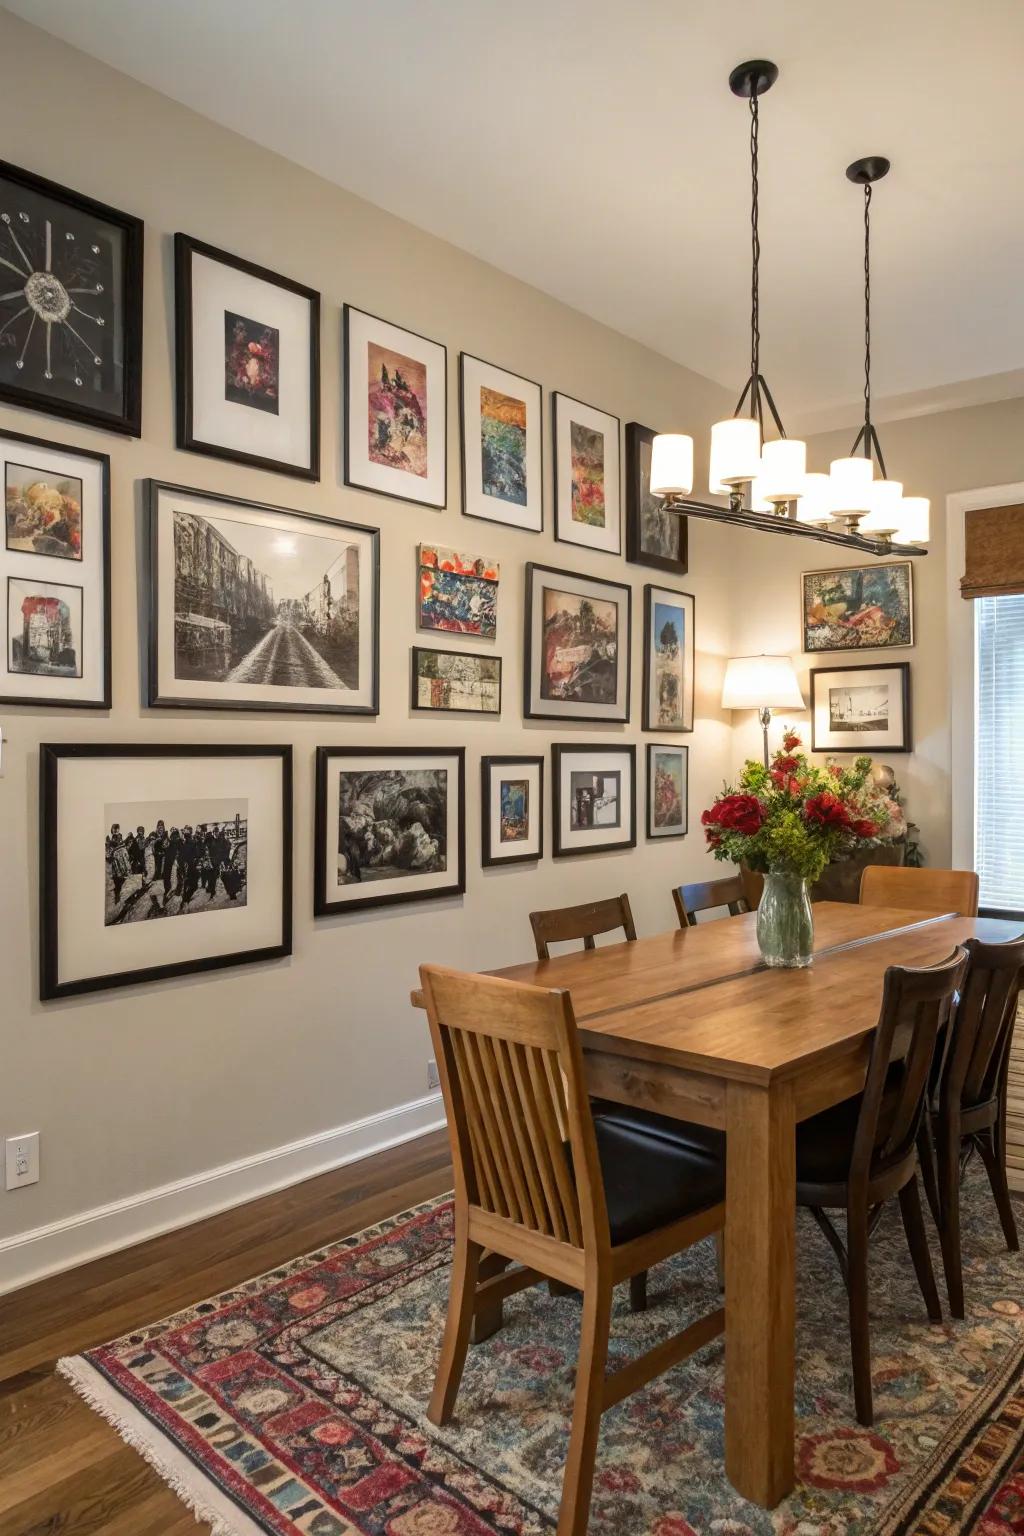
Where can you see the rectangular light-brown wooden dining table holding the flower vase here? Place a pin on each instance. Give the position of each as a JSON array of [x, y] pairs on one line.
[[692, 1024]]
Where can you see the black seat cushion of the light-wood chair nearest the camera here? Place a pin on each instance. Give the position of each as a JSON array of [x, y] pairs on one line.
[[652, 1182]]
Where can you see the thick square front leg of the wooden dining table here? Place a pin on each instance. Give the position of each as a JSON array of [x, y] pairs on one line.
[[759, 1291]]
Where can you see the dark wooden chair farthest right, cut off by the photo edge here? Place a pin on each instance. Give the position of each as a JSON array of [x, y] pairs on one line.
[[968, 1108]]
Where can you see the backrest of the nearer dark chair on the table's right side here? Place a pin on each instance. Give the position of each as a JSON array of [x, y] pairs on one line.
[[916, 1005]]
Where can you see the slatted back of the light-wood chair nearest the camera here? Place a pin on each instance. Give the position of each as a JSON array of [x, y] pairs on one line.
[[512, 1074]]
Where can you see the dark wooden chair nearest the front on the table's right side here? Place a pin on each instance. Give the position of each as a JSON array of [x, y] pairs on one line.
[[864, 1151]]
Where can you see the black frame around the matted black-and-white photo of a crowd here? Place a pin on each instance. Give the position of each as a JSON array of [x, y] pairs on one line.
[[51, 755]]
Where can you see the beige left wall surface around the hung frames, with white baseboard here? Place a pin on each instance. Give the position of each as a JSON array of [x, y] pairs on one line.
[[190, 1087]]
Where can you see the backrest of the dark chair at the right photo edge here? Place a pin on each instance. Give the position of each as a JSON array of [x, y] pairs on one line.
[[983, 1024]]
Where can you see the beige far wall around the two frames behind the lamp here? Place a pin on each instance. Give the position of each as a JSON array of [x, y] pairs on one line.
[[934, 455]]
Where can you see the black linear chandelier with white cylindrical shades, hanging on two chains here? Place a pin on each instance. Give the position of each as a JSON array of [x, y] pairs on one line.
[[767, 482]]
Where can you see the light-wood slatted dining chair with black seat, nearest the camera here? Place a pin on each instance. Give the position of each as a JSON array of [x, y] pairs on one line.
[[538, 1182]]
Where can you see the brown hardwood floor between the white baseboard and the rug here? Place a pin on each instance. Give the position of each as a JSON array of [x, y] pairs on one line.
[[64, 1472]]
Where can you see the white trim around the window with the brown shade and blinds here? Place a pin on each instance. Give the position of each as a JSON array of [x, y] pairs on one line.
[[962, 664]]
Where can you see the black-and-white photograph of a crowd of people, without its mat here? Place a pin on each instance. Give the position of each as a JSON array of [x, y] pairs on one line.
[[174, 859]]
